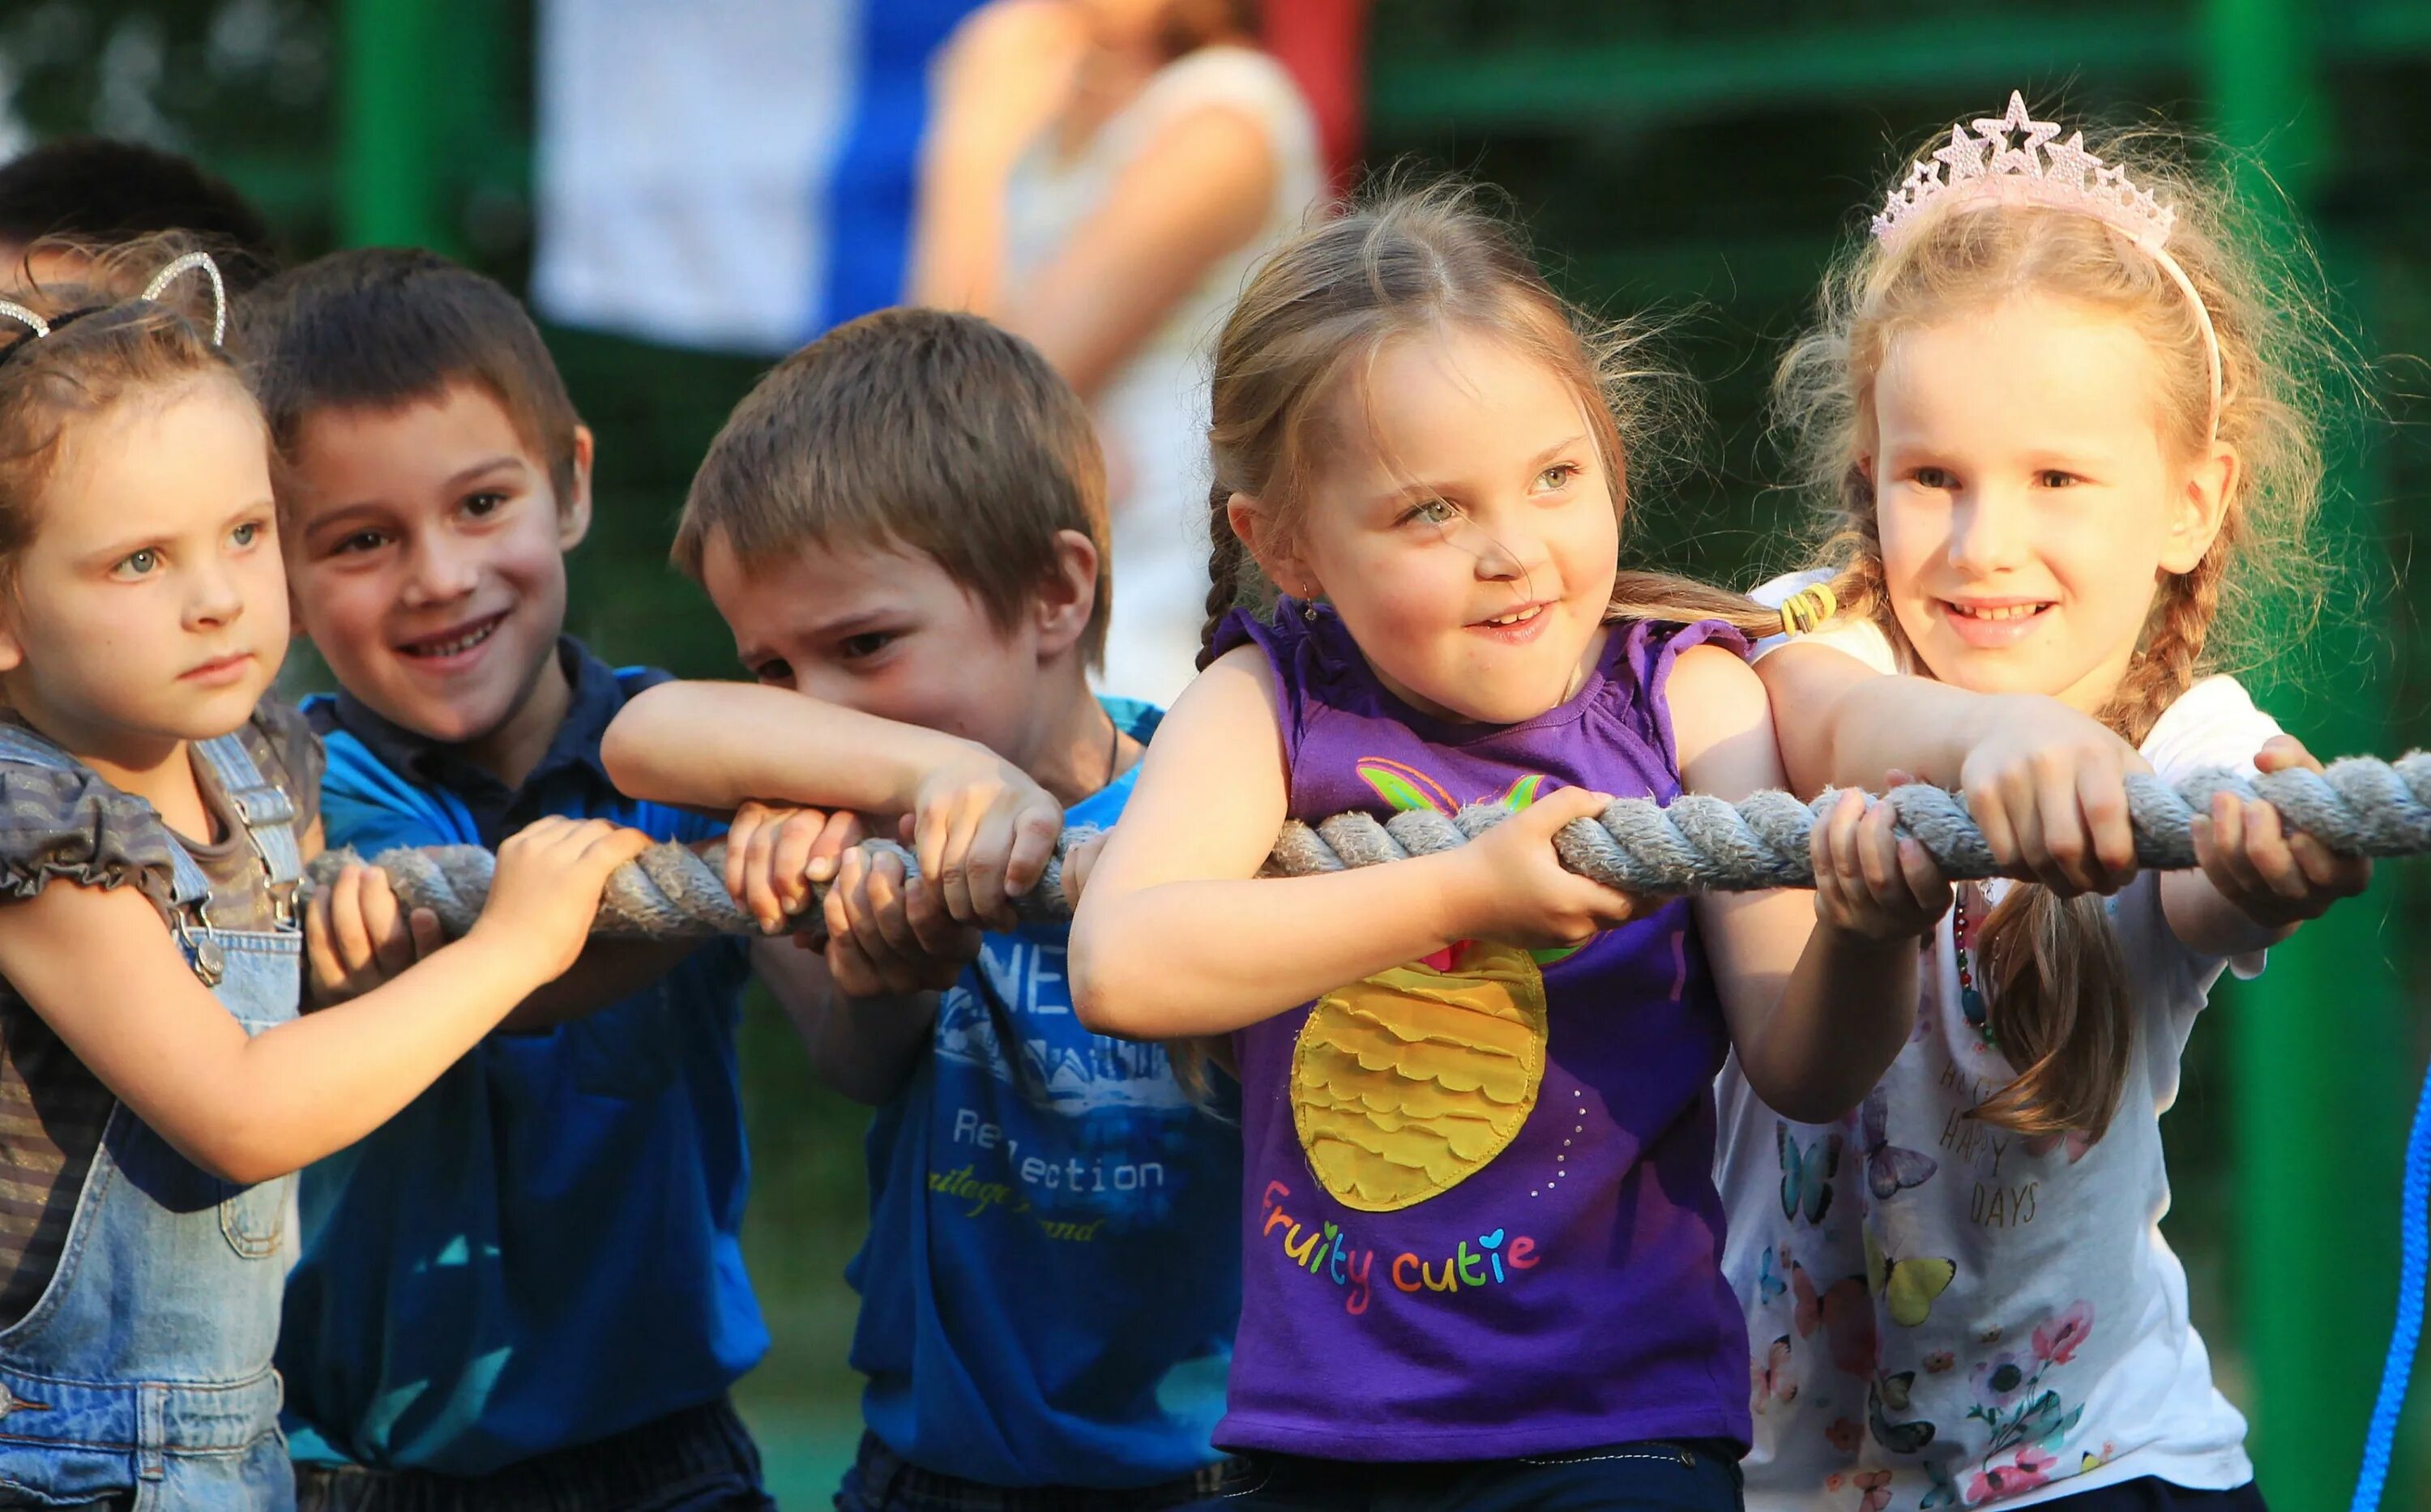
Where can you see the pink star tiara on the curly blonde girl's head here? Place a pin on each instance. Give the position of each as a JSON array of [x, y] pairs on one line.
[[2017, 159]]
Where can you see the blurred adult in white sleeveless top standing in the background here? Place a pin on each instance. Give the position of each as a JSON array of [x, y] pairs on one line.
[[1100, 176]]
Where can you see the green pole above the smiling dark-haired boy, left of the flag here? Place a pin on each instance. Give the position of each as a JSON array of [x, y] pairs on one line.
[[390, 130]]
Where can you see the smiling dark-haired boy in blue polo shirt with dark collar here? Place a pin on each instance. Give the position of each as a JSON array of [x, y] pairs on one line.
[[526, 1290]]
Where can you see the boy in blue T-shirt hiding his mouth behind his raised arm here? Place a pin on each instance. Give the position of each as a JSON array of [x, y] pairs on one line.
[[906, 529]]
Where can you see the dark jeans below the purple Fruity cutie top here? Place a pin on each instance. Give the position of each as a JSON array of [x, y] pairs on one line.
[[1645, 1477]]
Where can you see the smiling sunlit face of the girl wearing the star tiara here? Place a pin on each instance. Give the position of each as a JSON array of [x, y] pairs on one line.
[[2026, 497]]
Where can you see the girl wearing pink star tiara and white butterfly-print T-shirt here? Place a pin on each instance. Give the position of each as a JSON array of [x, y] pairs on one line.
[[2060, 431]]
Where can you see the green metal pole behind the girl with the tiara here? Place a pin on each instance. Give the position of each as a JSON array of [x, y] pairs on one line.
[[2320, 1037]]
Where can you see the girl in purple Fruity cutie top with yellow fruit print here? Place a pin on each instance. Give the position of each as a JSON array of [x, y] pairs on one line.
[[1482, 1236]]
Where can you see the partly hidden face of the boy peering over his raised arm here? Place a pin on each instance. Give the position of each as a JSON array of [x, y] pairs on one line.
[[879, 631]]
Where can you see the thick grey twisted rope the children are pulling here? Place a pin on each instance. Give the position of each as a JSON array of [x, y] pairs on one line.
[[1693, 845]]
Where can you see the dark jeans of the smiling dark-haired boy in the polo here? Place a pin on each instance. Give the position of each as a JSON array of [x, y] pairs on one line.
[[699, 1460]]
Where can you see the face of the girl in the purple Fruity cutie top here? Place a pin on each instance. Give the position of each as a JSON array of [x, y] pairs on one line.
[[1474, 543]]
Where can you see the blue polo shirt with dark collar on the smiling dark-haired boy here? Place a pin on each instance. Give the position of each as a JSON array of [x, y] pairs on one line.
[[543, 1248]]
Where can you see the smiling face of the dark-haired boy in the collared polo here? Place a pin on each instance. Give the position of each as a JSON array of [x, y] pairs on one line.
[[427, 553]]
